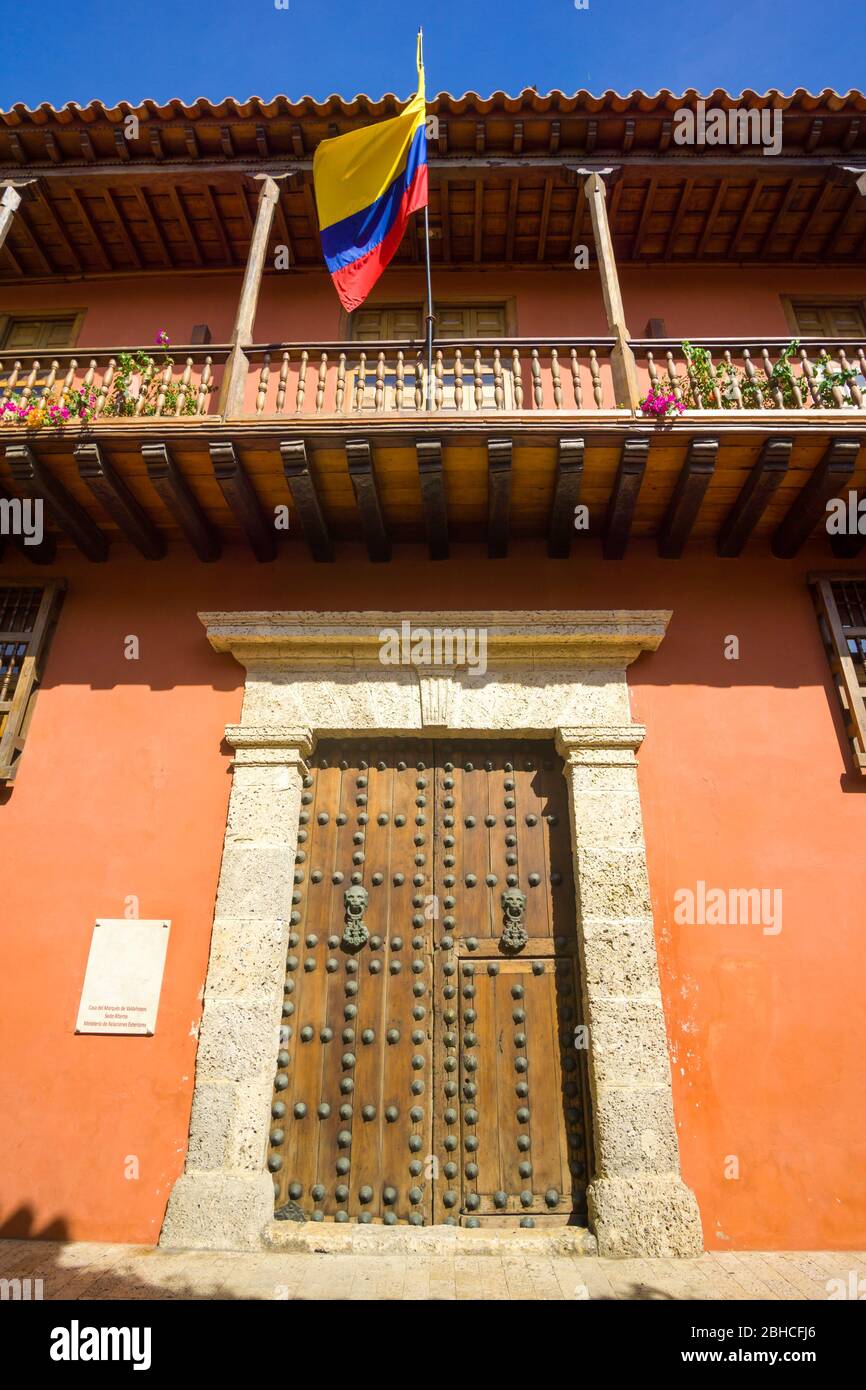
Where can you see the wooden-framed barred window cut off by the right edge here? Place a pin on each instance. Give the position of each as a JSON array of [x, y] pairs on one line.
[[842, 610]]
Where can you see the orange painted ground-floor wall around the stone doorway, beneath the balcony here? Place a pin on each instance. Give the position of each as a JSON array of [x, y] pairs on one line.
[[124, 789]]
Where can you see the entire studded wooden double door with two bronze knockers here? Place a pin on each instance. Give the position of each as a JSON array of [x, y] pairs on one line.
[[432, 1060]]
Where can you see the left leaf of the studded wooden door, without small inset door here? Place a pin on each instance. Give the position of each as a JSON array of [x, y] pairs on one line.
[[352, 1115]]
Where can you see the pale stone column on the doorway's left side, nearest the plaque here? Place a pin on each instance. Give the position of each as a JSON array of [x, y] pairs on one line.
[[226, 1197]]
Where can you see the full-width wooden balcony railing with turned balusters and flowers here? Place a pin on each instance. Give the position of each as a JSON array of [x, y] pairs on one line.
[[487, 377]]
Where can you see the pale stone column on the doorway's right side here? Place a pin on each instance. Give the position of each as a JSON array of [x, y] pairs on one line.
[[639, 1203]]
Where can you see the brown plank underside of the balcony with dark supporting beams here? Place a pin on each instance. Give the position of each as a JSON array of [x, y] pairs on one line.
[[208, 487]]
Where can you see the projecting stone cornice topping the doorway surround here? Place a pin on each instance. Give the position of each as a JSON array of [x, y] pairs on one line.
[[518, 640]]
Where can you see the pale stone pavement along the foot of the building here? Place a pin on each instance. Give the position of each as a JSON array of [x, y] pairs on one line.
[[515, 1273]]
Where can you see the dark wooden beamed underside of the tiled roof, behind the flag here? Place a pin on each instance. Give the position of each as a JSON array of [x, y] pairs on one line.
[[176, 191]]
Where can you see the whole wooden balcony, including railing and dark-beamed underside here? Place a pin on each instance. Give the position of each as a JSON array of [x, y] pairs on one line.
[[522, 436]]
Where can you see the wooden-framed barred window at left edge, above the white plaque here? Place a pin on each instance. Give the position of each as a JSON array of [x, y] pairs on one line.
[[28, 614]]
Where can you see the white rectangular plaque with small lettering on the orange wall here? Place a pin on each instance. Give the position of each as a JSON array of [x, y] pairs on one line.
[[124, 976]]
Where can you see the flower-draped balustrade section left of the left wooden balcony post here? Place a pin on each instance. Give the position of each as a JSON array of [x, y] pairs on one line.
[[180, 384]]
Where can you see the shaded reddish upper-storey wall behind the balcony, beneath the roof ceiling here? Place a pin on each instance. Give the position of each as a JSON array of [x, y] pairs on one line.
[[305, 308]]
